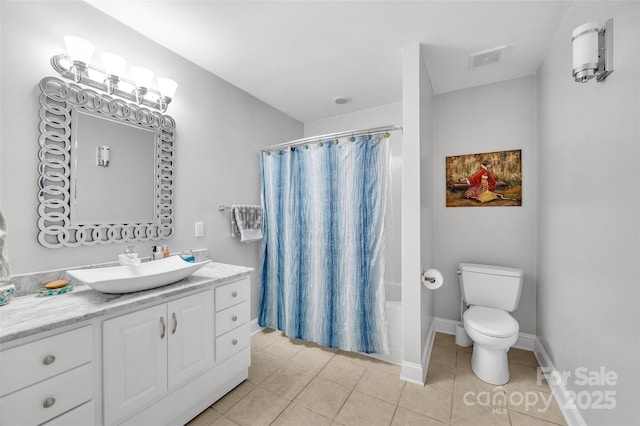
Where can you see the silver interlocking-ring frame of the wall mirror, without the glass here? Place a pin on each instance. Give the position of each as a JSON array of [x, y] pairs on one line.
[[57, 101]]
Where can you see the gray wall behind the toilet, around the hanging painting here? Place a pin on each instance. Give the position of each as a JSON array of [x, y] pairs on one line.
[[494, 117]]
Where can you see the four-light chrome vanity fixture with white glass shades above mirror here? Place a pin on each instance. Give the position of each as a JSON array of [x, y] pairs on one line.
[[76, 66]]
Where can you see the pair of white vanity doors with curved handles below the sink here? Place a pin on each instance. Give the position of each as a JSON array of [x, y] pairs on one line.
[[154, 350]]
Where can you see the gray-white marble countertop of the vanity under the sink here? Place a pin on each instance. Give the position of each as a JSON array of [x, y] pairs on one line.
[[31, 314]]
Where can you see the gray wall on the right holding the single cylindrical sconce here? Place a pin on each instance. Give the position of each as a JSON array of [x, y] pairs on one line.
[[589, 232]]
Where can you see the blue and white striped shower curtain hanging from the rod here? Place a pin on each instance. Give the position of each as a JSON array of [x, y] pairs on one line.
[[323, 246]]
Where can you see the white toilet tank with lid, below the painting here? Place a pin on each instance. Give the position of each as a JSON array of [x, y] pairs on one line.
[[491, 286]]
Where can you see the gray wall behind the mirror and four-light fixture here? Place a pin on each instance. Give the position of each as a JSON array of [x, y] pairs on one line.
[[219, 132]]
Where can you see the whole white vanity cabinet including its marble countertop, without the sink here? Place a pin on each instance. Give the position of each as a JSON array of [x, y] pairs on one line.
[[155, 357]]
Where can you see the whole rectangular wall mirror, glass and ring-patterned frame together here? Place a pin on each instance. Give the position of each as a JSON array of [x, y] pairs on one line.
[[105, 171]]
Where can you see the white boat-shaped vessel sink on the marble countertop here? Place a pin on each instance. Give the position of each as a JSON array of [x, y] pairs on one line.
[[130, 278]]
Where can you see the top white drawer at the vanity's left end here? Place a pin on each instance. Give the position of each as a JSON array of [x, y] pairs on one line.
[[30, 363]]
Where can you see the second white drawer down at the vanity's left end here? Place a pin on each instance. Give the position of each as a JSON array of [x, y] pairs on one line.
[[38, 403]]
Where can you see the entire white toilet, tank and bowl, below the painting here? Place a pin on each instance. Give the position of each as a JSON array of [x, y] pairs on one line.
[[492, 292]]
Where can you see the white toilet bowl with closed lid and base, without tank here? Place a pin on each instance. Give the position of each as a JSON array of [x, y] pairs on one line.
[[493, 332]]
